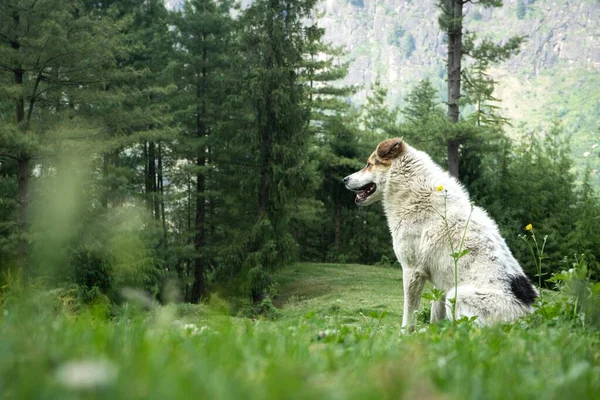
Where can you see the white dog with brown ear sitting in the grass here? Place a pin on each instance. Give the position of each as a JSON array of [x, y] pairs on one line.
[[426, 209]]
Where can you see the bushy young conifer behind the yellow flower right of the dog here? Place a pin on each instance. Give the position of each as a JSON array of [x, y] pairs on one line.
[[541, 191]]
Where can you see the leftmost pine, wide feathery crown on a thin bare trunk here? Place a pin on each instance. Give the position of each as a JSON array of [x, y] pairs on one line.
[[52, 54]]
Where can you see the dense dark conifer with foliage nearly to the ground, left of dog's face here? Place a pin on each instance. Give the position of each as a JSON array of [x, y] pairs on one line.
[[277, 139]]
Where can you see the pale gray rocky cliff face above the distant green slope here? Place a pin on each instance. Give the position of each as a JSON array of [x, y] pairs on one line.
[[399, 41]]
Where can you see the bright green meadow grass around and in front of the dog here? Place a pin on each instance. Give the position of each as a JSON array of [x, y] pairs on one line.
[[337, 338]]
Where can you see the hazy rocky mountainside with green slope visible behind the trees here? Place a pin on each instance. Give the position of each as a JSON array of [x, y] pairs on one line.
[[555, 75]]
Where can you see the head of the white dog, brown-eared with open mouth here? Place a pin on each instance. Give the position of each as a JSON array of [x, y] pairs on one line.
[[368, 183]]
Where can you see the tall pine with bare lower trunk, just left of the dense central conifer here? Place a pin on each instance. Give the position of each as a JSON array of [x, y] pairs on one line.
[[203, 31]]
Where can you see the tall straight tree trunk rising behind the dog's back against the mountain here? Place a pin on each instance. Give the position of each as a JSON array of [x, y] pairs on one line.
[[454, 76]]
